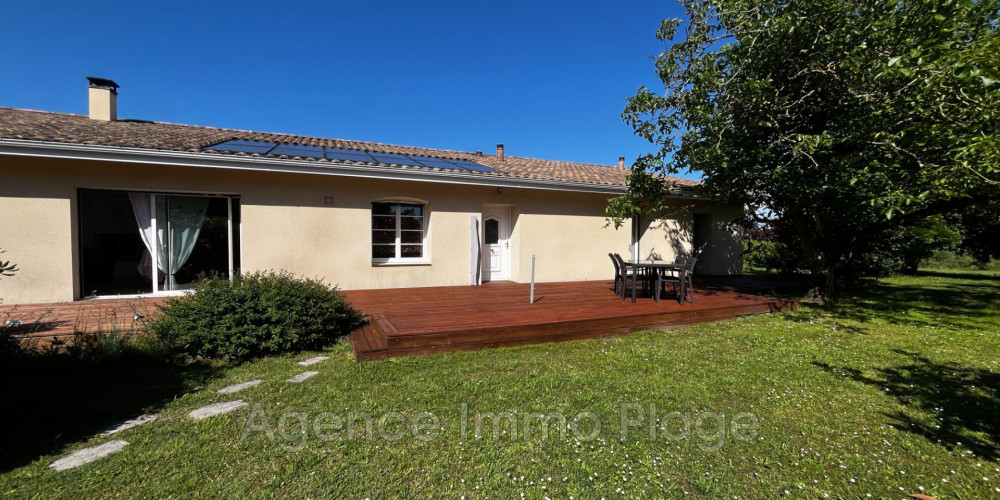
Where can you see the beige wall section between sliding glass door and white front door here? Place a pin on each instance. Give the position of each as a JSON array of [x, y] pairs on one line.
[[288, 226]]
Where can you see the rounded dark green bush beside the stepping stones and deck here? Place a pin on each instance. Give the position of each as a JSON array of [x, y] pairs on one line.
[[255, 315]]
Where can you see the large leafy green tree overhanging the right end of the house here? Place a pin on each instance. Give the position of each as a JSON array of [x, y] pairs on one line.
[[838, 121]]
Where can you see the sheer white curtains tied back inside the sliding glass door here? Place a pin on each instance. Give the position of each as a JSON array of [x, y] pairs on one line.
[[176, 232]]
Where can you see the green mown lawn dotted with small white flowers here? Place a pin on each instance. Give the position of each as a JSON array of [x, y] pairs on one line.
[[891, 390]]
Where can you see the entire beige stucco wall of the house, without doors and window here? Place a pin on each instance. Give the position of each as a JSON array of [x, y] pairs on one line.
[[320, 226]]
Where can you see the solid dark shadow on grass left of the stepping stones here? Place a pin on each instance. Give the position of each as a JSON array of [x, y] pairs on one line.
[[51, 400]]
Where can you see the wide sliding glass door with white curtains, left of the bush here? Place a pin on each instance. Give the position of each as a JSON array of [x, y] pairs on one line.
[[140, 242]]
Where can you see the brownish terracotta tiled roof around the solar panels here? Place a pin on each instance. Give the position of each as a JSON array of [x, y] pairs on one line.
[[78, 129]]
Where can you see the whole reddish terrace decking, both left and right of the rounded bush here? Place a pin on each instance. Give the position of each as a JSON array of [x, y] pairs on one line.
[[416, 321]]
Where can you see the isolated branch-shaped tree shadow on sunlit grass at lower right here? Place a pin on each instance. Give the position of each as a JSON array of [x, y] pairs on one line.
[[946, 403]]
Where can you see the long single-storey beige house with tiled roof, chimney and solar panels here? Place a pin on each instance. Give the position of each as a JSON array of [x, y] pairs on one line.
[[95, 206]]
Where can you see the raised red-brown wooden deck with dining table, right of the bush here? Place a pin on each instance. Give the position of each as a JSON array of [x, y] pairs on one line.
[[417, 321]]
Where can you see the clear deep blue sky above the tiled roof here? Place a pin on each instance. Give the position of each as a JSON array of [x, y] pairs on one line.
[[547, 79]]
